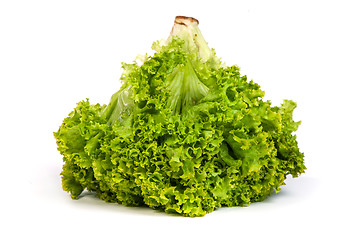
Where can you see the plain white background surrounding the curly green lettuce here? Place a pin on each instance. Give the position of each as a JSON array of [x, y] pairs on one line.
[[54, 54]]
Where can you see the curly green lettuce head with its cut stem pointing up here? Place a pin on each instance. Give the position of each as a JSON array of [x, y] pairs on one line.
[[185, 134]]
